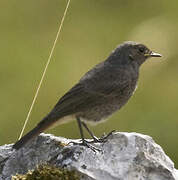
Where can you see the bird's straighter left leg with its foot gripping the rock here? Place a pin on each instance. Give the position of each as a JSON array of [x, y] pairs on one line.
[[84, 142]]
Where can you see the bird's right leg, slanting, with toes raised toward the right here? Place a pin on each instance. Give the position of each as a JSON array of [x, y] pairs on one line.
[[95, 139]]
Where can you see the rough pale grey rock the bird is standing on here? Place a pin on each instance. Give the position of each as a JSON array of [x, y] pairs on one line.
[[124, 156]]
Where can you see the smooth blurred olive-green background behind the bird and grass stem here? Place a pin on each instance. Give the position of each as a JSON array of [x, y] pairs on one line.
[[92, 29]]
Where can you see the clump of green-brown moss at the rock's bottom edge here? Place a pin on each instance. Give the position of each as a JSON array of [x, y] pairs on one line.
[[48, 172]]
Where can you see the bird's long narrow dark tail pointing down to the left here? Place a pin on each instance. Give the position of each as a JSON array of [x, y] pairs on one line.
[[42, 126]]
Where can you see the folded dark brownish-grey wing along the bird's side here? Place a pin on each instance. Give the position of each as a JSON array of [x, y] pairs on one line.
[[80, 98]]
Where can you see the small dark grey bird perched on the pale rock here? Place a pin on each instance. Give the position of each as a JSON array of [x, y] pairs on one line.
[[102, 91]]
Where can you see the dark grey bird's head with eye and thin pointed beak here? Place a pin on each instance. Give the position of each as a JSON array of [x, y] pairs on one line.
[[132, 52]]
